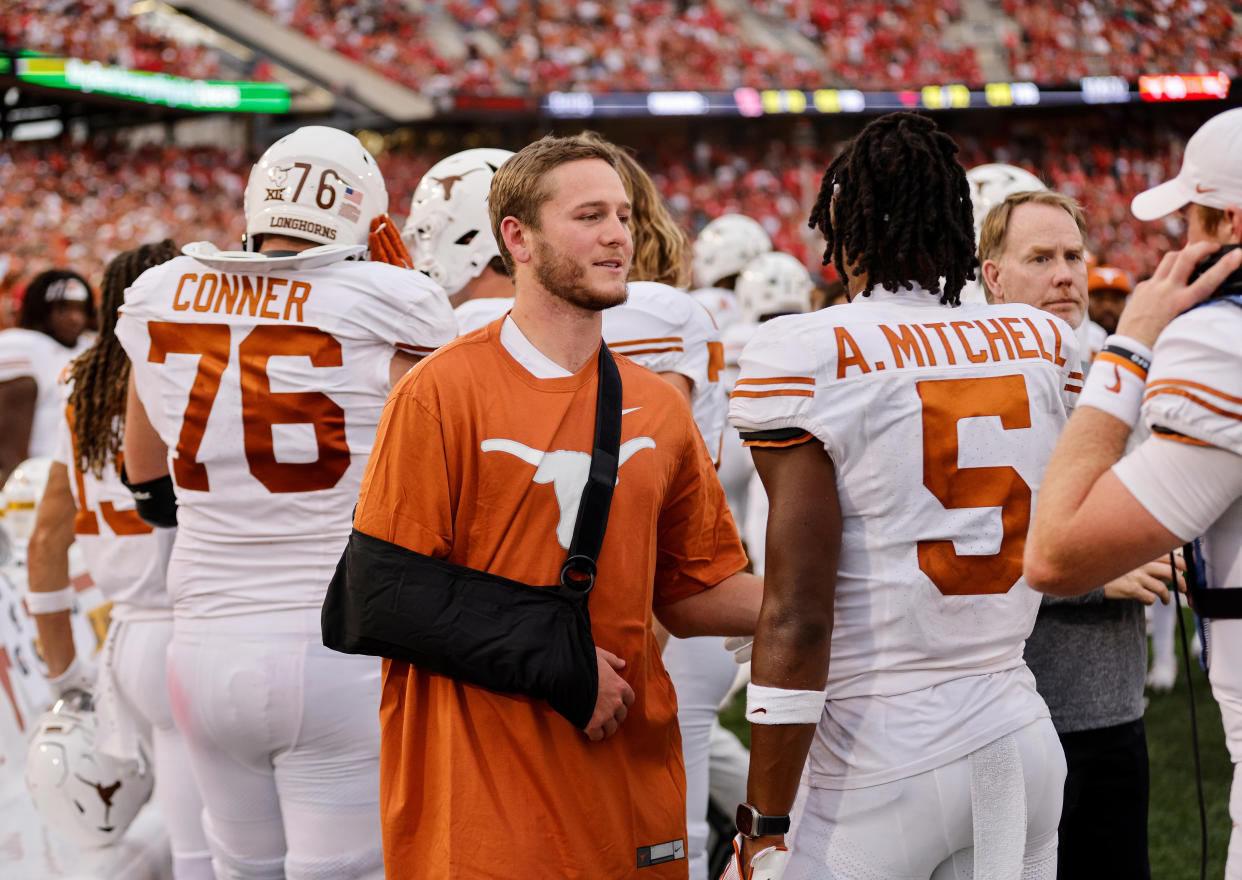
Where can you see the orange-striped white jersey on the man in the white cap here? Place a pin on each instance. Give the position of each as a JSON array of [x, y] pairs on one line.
[[1195, 389]]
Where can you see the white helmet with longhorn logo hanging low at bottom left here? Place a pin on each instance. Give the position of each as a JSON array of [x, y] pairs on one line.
[[85, 797]]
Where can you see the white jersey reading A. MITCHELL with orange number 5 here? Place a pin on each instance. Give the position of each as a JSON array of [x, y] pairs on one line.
[[940, 423]]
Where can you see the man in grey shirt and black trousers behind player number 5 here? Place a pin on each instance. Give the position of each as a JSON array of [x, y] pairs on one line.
[[1090, 653]]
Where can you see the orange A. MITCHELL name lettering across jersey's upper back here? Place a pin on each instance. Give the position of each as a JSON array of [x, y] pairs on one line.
[[926, 344]]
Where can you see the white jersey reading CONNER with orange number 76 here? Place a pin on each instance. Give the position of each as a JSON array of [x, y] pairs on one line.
[[268, 389]]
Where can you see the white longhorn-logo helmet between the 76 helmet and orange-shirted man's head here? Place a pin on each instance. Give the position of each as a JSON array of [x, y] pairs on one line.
[[449, 230]]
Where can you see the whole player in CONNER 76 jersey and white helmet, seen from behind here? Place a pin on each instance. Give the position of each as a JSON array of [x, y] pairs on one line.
[[259, 379]]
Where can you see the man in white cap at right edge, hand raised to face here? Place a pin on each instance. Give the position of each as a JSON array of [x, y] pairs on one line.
[[1176, 368]]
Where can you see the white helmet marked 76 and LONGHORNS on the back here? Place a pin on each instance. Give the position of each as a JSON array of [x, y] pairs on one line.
[[319, 184]]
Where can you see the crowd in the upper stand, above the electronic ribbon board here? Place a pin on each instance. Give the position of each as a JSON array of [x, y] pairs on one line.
[[555, 45]]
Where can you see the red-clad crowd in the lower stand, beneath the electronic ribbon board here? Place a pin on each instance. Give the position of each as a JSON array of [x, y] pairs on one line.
[[52, 195]]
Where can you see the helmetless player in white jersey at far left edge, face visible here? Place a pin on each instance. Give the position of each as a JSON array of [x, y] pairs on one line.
[[57, 311]]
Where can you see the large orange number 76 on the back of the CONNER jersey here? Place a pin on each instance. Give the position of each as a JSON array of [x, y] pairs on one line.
[[261, 408]]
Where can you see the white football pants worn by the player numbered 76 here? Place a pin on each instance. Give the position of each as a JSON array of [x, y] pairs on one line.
[[285, 740]]
